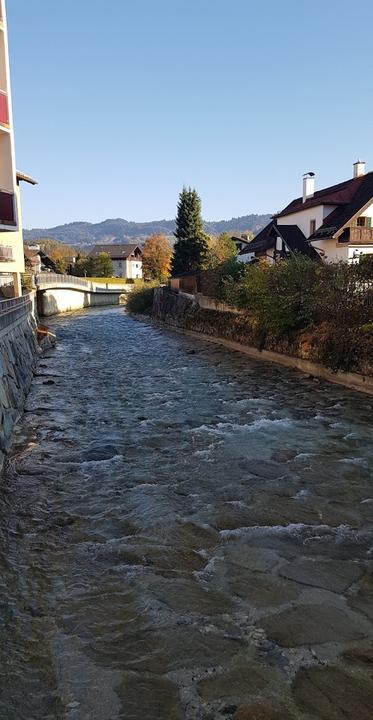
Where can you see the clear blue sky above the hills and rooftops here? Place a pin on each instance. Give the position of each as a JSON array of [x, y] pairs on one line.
[[117, 104]]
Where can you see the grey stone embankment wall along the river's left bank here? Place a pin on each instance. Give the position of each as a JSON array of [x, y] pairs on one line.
[[18, 356]]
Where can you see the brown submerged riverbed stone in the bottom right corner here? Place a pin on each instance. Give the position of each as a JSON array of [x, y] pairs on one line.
[[330, 693]]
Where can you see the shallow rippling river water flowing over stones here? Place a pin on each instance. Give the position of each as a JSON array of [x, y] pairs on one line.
[[186, 534]]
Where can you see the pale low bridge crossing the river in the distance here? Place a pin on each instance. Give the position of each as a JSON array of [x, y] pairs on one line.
[[62, 293]]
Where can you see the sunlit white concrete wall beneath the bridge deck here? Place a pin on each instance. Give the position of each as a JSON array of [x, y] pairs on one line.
[[55, 301]]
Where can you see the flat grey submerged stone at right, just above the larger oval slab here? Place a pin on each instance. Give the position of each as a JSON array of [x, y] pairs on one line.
[[333, 575]]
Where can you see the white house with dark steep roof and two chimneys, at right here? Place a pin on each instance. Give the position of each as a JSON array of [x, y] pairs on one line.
[[334, 224]]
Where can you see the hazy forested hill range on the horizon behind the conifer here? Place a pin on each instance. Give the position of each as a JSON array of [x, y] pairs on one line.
[[108, 231]]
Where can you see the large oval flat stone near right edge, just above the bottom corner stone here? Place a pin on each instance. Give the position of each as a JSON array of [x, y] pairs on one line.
[[314, 625]]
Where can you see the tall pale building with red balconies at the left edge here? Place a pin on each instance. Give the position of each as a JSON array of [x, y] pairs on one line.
[[11, 239]]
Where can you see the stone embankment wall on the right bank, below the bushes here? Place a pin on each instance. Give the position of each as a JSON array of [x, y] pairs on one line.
[[224, 325]]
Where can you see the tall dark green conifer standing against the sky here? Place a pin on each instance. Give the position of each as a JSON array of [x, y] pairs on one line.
[[191, 247]]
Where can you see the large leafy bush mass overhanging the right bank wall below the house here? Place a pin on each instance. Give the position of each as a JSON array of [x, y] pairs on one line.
[[296, 295]]
